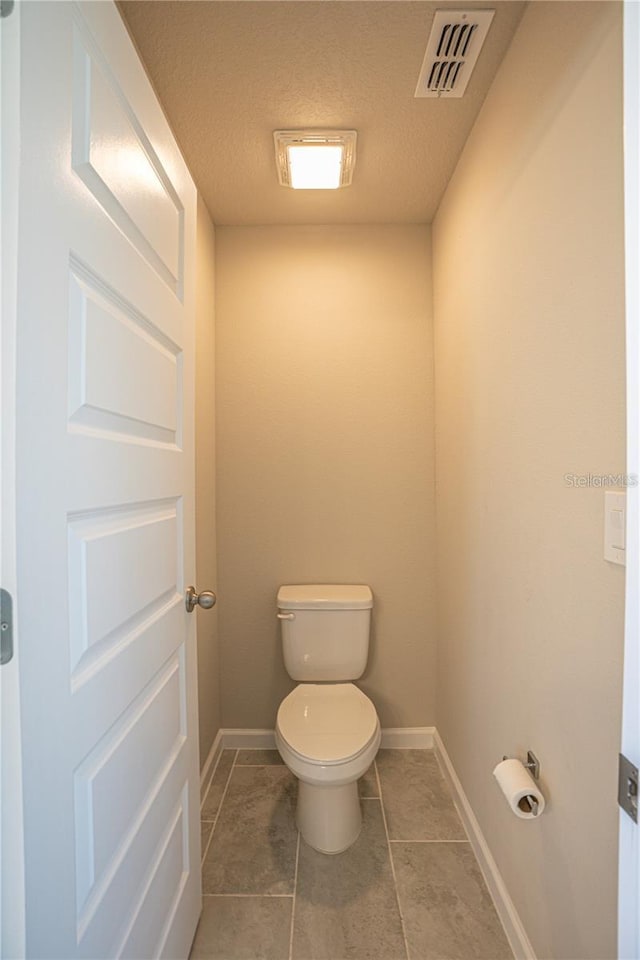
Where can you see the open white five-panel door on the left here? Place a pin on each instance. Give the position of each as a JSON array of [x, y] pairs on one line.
[[105, 498]]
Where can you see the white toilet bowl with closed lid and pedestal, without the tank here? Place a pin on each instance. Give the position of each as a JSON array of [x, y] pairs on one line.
[[328, 736]]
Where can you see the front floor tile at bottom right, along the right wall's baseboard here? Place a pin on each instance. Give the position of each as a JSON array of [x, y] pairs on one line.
[[448, 913]]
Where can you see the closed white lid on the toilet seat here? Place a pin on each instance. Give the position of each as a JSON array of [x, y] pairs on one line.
[[327, 723]]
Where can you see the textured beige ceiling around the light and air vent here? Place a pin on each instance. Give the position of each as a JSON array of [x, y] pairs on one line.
[[230, 73]]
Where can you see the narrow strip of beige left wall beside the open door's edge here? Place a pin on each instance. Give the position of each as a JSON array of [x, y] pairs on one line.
[[208, 657]]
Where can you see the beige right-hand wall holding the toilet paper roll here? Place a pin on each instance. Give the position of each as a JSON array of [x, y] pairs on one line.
[[528, 299]]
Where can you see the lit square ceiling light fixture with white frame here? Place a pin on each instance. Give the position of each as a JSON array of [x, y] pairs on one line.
[[315, 159]]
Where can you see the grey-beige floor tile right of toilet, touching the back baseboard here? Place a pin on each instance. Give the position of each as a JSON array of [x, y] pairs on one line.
[[416, 798]]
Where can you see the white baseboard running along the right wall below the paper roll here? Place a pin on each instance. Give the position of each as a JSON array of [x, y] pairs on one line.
[[516, 934]]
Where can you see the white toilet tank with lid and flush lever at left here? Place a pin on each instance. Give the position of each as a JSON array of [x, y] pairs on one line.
[[325, 630]]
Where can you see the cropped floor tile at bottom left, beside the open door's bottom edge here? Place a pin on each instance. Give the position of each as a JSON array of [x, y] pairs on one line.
[[243, 928]]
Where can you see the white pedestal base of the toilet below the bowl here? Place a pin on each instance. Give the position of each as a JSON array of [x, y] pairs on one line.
[[329, 817]]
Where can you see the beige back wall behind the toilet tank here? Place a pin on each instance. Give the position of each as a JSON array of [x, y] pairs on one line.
[[325, 453]]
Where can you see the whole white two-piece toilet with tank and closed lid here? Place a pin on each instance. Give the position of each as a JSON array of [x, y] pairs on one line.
[[327, 730]]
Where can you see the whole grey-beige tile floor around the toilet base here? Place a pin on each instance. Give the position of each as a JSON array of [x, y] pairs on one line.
[[408, 889]]
